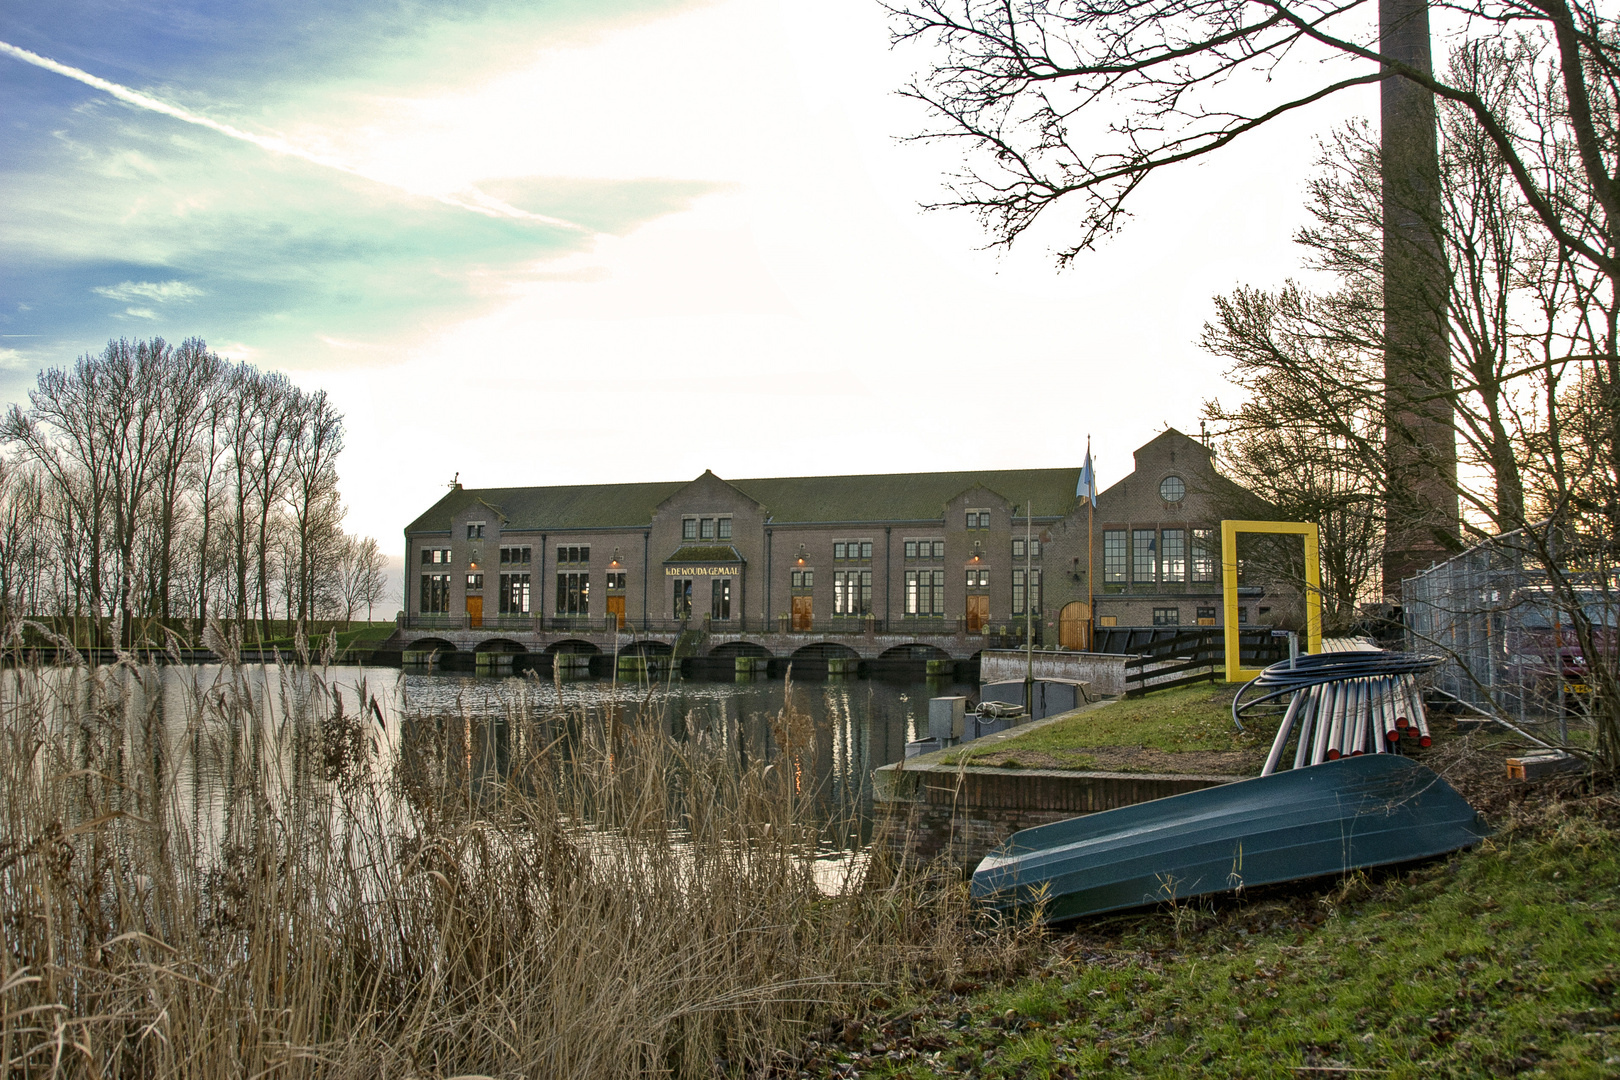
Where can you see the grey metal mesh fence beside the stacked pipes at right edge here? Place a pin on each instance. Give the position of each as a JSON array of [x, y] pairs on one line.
[[1506, 627]]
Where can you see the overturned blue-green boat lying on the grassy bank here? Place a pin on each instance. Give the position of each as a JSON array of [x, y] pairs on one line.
[[1344, 815]]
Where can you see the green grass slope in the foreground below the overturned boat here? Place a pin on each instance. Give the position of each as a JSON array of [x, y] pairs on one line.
[[1494, 963]]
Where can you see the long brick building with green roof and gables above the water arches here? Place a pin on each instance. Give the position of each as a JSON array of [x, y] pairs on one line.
[[914, 553]]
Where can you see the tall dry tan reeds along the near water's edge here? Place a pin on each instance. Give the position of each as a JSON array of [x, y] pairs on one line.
[[613, 901]]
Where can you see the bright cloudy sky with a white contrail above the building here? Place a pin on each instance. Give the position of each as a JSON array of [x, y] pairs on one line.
[[595, 240]]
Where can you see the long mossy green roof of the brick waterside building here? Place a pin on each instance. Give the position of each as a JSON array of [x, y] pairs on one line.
[[871, 498]]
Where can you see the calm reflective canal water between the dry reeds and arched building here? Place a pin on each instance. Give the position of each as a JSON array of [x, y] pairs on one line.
[[859, 723]]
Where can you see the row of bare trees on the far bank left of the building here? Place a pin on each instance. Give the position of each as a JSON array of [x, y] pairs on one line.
[[158, 482]]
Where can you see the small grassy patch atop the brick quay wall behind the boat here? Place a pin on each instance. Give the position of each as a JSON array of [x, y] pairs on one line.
[[1192, 723]]
